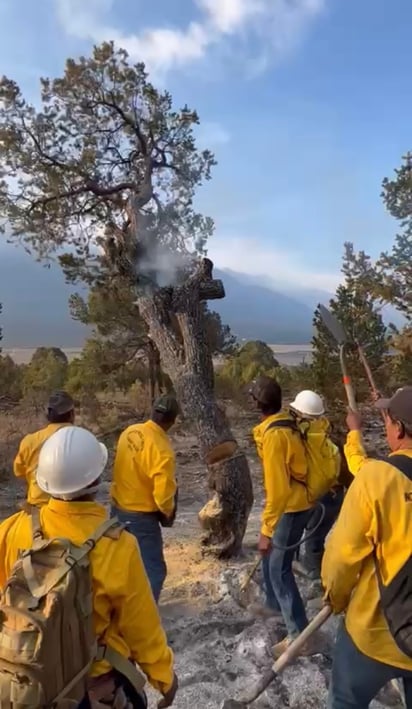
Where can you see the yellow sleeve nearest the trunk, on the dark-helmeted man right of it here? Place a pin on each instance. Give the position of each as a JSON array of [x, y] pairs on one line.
[[276, 480]]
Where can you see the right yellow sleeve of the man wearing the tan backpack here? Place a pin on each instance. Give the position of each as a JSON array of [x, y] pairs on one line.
[[139, 620]]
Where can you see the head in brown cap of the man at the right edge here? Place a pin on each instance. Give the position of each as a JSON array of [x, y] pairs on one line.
[[398, 418]]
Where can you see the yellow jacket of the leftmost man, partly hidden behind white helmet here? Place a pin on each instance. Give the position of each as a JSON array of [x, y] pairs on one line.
[[27, 458]]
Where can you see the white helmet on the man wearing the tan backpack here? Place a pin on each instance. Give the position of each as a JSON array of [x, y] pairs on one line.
[[70, 461]]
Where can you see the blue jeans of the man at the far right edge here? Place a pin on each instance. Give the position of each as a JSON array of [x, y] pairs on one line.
[[357, 679]]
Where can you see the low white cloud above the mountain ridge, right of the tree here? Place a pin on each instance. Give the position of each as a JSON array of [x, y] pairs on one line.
[[277, 268]]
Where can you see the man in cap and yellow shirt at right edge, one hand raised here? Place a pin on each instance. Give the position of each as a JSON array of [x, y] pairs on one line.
[[376, 517]]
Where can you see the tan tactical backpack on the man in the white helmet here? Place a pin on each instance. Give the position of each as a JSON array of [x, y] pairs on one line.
[[47, 639]]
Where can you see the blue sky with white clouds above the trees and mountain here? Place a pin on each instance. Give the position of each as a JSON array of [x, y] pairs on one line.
[[305, 102]]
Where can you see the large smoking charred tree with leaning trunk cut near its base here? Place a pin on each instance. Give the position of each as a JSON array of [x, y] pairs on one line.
[[103, 179]]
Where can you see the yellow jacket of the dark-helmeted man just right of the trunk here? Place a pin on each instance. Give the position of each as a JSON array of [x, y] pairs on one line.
[[284, 471]]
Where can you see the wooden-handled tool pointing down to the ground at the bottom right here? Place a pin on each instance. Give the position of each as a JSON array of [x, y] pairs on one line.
[[284, 660]]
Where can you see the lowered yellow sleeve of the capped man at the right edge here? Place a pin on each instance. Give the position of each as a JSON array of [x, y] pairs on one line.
[[349, 543]]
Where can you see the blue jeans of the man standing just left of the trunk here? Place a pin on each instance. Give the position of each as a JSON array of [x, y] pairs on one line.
[[145, 526]]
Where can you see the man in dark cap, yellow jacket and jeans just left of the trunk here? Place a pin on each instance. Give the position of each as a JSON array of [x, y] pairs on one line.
[[144, 485]]
